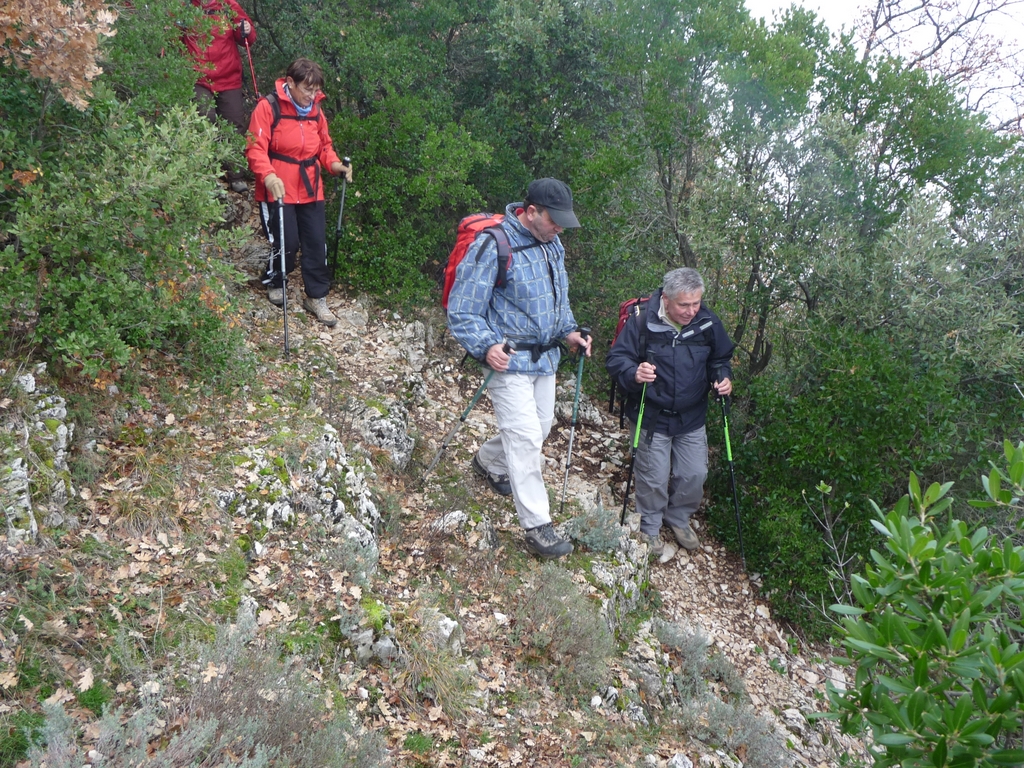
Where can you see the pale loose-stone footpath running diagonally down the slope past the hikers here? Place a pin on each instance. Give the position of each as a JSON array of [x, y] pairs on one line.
[[707, 590]]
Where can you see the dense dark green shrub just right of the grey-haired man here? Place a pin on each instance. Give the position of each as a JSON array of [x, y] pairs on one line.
[[858, 408]]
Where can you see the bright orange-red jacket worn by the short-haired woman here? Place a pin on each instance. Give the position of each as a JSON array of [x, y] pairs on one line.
[[305, 141]]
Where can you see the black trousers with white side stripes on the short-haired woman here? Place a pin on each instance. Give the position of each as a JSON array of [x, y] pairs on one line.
[[306, 229]]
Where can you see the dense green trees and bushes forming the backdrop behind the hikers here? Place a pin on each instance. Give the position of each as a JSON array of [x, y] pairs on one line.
[[858, 212]]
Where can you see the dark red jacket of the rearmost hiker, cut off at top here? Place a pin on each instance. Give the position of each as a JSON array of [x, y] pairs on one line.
[[217, 55]]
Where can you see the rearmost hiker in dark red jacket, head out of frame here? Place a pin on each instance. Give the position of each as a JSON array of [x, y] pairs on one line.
[[219, 91]]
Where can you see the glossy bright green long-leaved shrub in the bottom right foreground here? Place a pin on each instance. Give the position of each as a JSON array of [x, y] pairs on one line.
[[934, 637]]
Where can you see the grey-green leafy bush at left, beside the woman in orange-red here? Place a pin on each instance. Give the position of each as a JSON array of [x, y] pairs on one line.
[[110, 259]]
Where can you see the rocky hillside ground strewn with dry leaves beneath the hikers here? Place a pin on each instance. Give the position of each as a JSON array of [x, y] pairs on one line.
[[303, 503]]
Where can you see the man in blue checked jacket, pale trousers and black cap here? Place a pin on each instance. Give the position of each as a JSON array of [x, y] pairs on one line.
[[531, 313]]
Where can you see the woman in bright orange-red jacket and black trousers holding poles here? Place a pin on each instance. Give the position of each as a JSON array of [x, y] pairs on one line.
[[289, 145]]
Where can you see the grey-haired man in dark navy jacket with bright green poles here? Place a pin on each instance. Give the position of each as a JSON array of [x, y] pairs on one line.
[[679, 349]]
